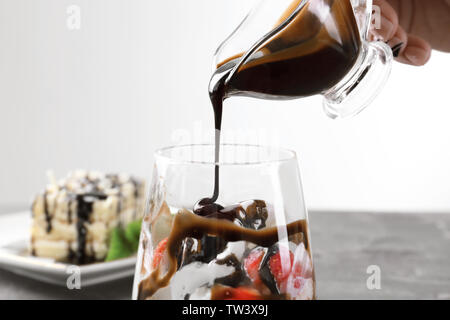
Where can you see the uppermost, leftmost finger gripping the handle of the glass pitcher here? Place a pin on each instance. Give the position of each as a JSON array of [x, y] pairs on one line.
[[388, 21]]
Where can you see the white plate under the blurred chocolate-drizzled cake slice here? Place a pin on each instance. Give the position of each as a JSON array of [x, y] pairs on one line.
[[14, 229]]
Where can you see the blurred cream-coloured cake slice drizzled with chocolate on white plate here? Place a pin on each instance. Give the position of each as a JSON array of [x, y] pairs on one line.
[[73, 219]]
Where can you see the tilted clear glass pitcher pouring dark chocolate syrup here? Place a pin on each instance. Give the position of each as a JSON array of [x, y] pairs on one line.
[[288, 49]]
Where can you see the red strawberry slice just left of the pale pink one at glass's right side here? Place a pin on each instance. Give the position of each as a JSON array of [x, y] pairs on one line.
[[280, 265]]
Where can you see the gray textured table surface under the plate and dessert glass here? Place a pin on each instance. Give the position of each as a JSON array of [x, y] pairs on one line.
[[411, 250]]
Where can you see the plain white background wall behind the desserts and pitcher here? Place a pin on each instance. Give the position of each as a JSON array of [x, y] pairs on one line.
[[135, 76]]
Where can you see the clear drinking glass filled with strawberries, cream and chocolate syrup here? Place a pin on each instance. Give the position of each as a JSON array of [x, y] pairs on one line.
[[254, 244]]
